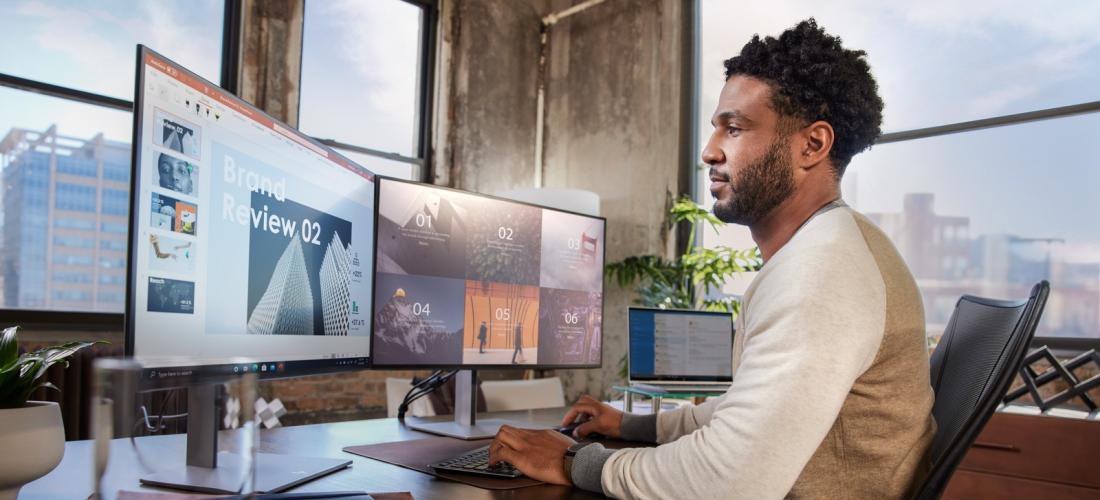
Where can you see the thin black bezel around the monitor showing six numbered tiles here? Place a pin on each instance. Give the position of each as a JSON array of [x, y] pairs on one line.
[[375, 272]]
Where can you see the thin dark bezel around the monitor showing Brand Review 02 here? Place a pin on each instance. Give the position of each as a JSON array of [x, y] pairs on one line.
[[163, 377]]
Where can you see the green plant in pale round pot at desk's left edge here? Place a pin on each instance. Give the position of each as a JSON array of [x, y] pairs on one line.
[[31, 431]]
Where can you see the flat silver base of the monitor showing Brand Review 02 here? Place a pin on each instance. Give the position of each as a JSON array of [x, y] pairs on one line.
[[274, 474]]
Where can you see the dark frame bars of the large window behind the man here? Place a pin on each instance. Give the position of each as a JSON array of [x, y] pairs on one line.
[[1061, 346]]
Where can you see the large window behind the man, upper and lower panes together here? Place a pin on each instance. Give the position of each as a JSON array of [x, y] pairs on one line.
[[989, 212]]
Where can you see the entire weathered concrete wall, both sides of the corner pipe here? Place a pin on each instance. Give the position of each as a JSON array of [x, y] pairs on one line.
[[614, 108]]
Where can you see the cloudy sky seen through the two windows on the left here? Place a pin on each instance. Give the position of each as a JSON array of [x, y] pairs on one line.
[[359, 64]]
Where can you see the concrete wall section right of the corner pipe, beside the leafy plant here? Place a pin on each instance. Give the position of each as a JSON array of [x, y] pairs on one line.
[[613, 127]]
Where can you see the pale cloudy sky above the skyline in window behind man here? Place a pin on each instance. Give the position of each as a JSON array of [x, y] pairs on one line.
[[940, 62]]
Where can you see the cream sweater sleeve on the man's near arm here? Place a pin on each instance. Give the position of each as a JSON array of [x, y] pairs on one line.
[[812, 328]]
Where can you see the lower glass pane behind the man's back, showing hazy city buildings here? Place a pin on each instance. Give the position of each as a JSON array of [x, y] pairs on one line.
[[991, 214]]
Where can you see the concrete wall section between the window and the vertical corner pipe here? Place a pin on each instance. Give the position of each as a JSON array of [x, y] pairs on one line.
[[489, 142]]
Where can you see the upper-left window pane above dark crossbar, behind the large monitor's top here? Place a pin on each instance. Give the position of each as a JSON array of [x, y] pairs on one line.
[[91, 46]]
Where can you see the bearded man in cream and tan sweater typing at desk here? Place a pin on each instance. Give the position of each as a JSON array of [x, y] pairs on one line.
[[831, 395]]
